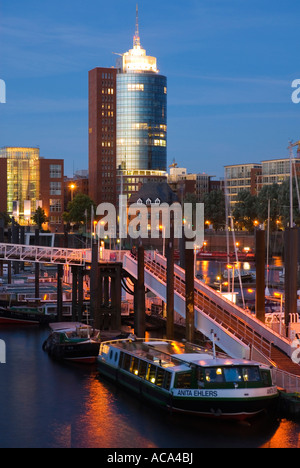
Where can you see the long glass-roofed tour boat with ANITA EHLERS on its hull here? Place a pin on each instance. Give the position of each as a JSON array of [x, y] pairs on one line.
[[184, 378]]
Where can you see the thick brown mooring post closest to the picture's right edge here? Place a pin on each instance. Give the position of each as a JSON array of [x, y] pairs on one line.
[[291, 274]]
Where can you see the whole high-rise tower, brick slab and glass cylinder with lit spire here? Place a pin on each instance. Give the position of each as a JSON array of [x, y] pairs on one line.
[[128, 125]]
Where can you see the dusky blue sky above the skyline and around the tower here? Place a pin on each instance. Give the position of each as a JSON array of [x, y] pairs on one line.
[[229, 64]]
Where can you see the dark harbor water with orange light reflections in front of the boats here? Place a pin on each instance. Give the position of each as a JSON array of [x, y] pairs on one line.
[[45, 404]]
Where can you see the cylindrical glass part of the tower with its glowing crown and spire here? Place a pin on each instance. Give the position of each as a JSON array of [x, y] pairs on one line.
[[141, 119]]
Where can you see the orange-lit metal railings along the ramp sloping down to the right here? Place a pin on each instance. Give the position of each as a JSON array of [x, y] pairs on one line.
[[242, 327]]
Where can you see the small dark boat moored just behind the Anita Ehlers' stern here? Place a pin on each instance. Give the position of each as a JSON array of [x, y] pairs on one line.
[[73, 342]]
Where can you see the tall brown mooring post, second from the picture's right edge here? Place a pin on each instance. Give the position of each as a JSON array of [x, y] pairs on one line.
[[260, 260]]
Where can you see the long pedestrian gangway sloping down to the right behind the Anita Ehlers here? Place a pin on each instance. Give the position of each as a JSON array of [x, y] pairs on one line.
[[239, 332]]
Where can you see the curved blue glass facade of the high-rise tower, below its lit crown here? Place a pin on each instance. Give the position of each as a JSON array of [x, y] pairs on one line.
[[141, 122]]
